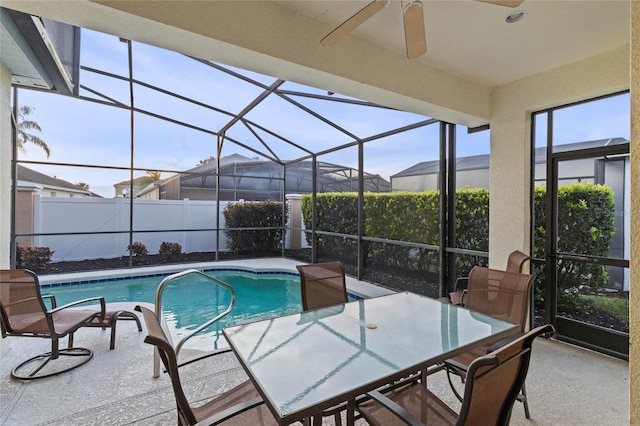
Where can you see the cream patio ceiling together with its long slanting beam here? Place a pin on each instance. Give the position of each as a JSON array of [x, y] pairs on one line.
[[470, 49]]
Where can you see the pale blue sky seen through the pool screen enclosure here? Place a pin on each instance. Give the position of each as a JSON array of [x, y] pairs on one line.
[[80, 132]]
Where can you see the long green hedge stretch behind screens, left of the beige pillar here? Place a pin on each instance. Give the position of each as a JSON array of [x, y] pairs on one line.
[[400, 216]]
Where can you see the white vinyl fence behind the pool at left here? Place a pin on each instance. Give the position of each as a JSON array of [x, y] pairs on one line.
[[67, 215]]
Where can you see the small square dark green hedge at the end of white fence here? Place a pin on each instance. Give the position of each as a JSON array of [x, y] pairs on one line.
[[263, 214]]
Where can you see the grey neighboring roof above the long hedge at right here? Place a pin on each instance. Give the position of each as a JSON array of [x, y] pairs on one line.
[[476, 162]]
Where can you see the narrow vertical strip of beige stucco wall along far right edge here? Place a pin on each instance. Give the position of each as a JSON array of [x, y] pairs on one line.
[[634, 308]]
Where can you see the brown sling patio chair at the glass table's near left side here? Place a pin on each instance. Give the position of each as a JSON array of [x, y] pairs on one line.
[[241, 405]]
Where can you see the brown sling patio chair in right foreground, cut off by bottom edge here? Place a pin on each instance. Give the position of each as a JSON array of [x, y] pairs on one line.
[[492, 386]]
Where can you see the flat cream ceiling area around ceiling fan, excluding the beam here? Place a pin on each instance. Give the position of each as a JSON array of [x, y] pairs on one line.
[[470, 39]]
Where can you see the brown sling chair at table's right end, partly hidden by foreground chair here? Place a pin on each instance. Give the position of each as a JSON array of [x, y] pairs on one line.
[[500, 294]]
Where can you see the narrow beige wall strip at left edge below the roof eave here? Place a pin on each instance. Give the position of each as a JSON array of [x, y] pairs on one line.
[[5, 166]]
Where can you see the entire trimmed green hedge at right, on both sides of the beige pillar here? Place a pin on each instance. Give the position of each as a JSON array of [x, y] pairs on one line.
[[586, 212]]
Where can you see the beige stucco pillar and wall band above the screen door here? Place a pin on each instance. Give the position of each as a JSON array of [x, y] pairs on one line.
[[512, 106]]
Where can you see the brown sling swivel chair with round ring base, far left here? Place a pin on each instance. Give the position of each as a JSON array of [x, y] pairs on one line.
[[24, 313]]
